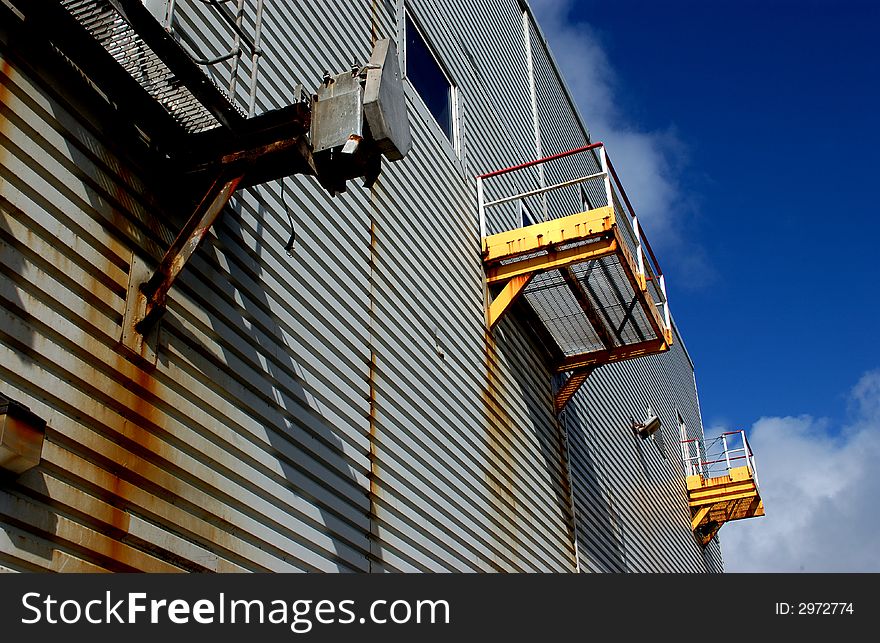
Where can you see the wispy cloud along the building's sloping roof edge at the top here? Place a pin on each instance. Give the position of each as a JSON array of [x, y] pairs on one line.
[[648, 162]]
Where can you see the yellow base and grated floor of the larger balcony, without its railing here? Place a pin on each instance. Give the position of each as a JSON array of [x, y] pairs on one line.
[[592, 300]]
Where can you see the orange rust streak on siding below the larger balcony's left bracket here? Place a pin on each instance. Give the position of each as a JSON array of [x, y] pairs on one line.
[[499, 475]]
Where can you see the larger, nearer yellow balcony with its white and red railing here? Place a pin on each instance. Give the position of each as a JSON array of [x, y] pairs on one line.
[[591, 292]]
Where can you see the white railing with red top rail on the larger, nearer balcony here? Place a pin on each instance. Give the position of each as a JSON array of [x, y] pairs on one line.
[[647, 264]]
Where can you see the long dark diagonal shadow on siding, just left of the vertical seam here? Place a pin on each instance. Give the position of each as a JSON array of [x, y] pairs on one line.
[[267, 376]]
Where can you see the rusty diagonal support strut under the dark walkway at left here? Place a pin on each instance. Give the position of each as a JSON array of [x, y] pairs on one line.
[[155, 290]]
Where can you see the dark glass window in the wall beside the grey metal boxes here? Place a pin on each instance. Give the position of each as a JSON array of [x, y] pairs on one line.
[[426, 75]]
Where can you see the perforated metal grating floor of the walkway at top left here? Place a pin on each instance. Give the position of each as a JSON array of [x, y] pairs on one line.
[[123, 43]]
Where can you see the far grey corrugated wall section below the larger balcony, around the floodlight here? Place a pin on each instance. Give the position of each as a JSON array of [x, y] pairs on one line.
[[630, 497]]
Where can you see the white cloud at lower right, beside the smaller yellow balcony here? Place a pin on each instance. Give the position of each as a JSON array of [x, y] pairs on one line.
[[820, 488]]
